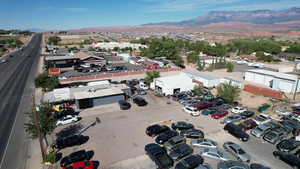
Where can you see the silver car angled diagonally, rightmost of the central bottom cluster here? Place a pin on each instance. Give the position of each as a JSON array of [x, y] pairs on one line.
[[237, 151]]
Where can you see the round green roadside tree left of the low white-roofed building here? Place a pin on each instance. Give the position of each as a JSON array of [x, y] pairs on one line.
[[47, 83]]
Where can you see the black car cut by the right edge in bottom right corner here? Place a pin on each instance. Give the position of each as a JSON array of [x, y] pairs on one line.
[[288, 158]]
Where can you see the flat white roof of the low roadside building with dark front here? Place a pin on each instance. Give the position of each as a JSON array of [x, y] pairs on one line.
[[97, 93]]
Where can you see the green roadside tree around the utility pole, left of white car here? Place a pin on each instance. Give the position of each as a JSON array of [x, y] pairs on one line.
[[45, 119]]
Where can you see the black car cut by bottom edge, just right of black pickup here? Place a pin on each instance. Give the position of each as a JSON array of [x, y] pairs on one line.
[[190, 162]]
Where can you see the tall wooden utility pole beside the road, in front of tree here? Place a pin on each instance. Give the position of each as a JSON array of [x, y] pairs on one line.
[[38, 128]]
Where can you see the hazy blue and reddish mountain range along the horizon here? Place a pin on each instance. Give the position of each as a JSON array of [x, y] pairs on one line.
[[276, 21]]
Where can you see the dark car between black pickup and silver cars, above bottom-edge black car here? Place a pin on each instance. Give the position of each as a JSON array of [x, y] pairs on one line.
[[181, 151]]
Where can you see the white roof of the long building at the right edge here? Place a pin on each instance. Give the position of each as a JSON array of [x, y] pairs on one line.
[[274, 74]]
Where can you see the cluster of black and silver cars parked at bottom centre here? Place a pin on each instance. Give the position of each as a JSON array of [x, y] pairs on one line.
[[171, 148]]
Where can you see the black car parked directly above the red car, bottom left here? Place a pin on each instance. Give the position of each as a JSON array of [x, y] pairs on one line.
[[80, 155]]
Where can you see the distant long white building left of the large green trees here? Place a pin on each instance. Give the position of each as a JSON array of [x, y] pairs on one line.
[[111, 45]]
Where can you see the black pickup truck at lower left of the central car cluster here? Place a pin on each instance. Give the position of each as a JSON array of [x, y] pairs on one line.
[[159, 156]]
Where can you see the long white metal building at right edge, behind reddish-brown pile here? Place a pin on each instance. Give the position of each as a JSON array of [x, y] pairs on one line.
[[275, 80]]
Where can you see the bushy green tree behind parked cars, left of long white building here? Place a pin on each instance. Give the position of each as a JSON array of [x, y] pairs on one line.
[[228, 92]]
